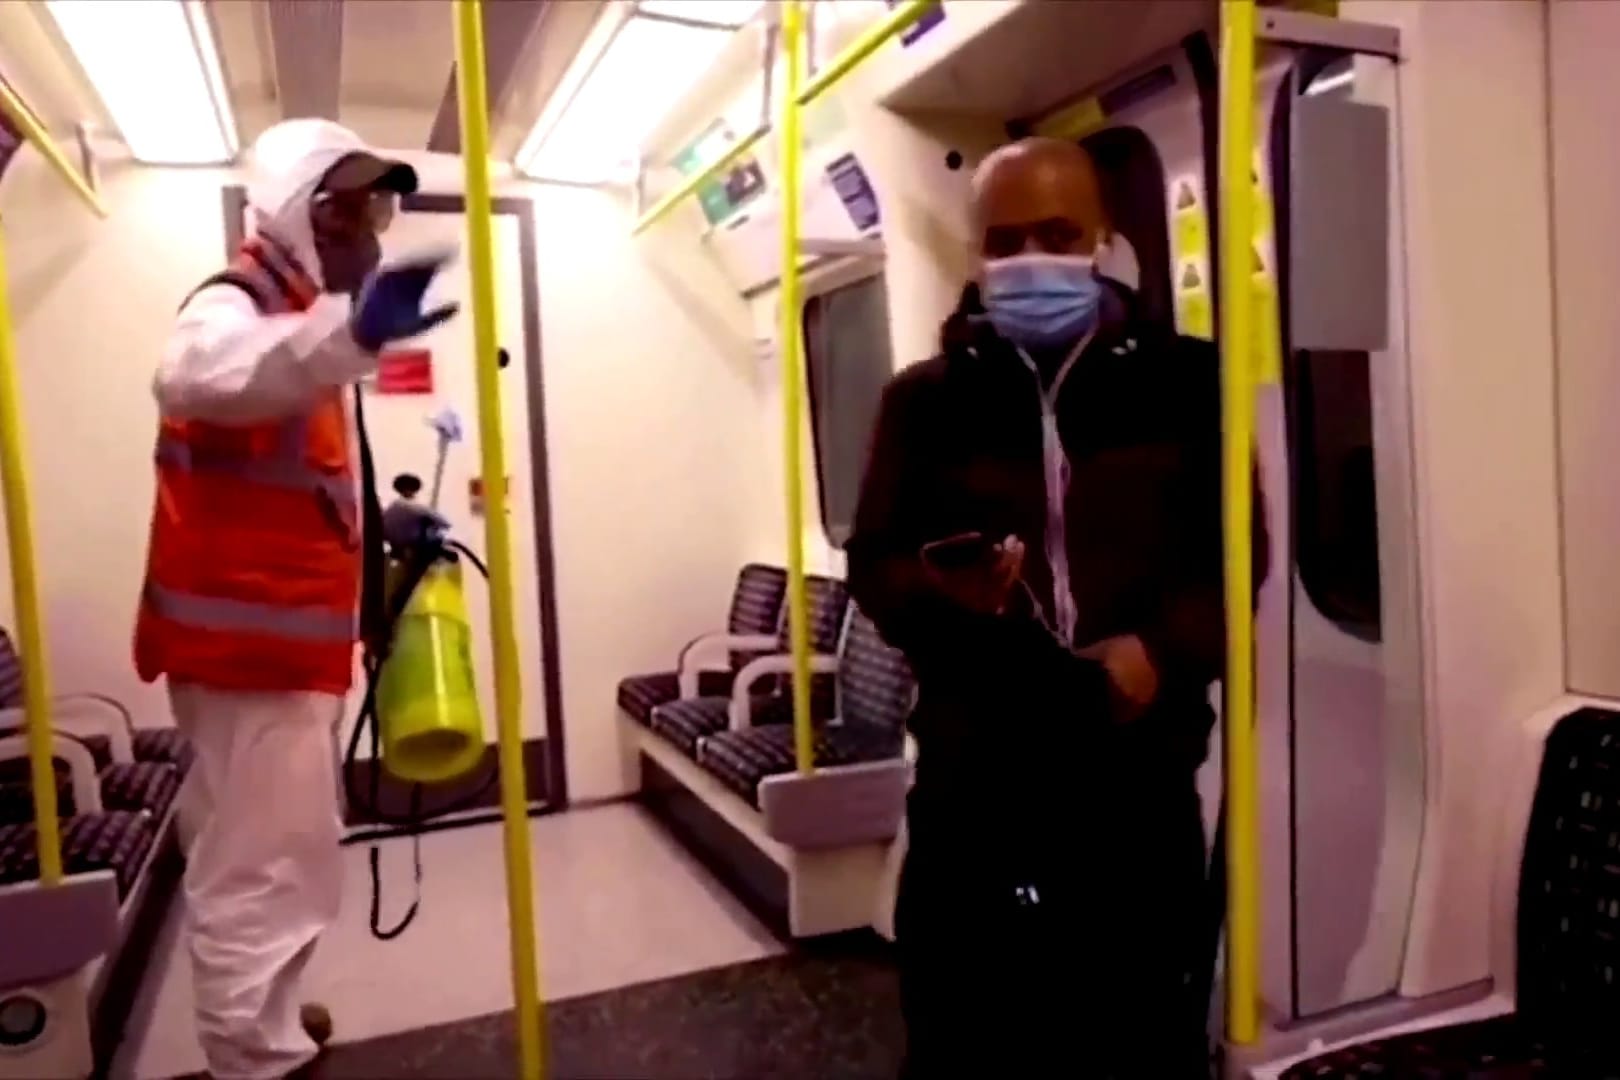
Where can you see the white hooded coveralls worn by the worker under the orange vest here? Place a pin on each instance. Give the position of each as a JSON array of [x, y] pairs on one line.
[[265, 872]]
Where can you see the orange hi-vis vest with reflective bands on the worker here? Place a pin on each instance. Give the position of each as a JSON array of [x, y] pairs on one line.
[[254, 566]]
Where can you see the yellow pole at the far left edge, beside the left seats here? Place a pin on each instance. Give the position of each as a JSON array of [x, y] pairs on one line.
[[25, 598]]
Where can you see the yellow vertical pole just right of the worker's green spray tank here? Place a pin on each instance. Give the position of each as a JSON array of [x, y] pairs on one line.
[[498, 538]]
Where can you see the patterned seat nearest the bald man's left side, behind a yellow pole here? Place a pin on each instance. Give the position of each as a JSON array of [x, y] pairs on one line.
[[876, 694]]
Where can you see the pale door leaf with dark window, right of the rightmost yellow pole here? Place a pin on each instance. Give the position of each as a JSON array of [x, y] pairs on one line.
[[1339, 631]]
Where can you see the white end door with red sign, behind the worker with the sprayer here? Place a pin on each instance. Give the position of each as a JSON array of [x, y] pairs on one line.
[[432, 375]]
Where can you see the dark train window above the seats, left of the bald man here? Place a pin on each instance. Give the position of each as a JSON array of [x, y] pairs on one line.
[[848, 360]]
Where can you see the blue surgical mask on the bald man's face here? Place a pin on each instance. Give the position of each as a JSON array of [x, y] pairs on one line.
[[1042, 300]]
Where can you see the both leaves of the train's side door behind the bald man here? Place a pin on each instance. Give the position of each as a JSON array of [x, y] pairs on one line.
[[1337, 626]]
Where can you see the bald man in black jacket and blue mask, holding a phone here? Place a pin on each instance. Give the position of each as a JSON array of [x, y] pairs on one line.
[[1039, 532]]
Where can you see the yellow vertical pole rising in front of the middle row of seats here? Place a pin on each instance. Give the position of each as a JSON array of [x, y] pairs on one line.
[[793, 381]]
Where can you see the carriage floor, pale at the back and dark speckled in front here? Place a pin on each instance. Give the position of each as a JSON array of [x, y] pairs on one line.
[[650, 969]]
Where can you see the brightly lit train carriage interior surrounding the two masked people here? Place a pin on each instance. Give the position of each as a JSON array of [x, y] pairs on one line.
[[696, 240]]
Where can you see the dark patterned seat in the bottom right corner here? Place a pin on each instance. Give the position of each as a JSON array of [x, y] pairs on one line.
[[1569, 938]]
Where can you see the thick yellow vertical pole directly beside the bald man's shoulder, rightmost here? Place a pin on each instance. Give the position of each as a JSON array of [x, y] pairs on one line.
[[1237, 352]]
